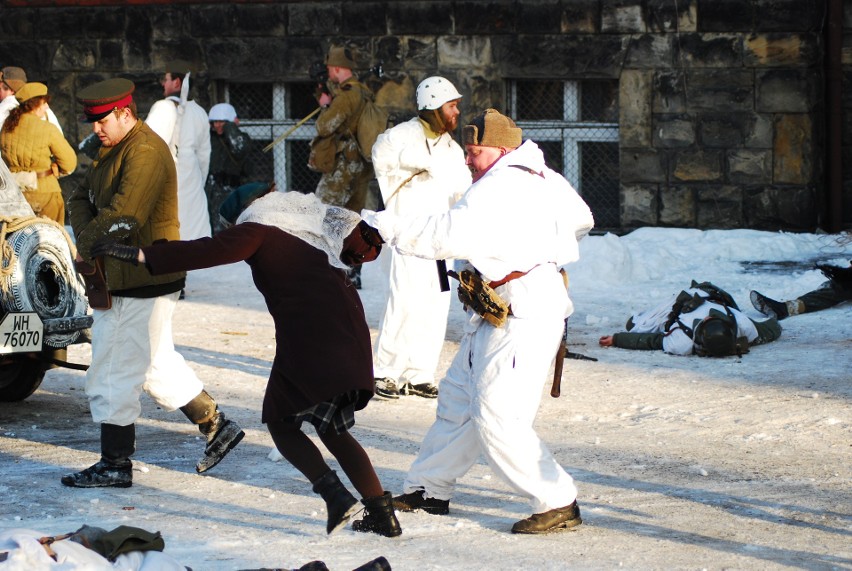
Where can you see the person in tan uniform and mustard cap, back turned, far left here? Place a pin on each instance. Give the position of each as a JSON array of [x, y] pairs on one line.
[[36, 152]]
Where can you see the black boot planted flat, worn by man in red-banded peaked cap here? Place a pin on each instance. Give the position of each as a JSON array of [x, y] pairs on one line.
[[114, 470]]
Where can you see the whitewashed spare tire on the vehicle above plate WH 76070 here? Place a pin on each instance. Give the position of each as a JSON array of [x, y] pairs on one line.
[[44, 279]]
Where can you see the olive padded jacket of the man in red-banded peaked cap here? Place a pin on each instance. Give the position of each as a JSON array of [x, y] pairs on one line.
[[130, 193]]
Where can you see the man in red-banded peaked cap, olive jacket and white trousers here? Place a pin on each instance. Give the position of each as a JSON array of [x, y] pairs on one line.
[[130, 194]]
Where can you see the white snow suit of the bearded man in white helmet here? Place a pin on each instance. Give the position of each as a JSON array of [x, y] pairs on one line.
[[419, 173]]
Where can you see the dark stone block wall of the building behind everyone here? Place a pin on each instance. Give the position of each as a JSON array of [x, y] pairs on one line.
[[722, 114]]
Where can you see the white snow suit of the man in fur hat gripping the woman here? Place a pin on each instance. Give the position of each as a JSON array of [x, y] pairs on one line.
[[511, 219]]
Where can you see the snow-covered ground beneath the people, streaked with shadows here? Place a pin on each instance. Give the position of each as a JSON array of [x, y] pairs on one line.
[[681, 462]]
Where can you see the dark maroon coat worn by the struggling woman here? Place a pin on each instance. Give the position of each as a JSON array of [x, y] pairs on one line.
[[322, 342]]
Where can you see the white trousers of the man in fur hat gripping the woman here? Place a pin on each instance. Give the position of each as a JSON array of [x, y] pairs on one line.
[[487, 405]]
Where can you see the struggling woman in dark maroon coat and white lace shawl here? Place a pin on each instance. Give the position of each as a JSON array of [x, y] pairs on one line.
[[323, 369]]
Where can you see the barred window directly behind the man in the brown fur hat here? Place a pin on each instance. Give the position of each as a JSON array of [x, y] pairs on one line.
[[575, 123]]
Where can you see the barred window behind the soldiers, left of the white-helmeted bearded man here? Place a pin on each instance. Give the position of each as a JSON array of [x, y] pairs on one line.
[[267, 111]]
